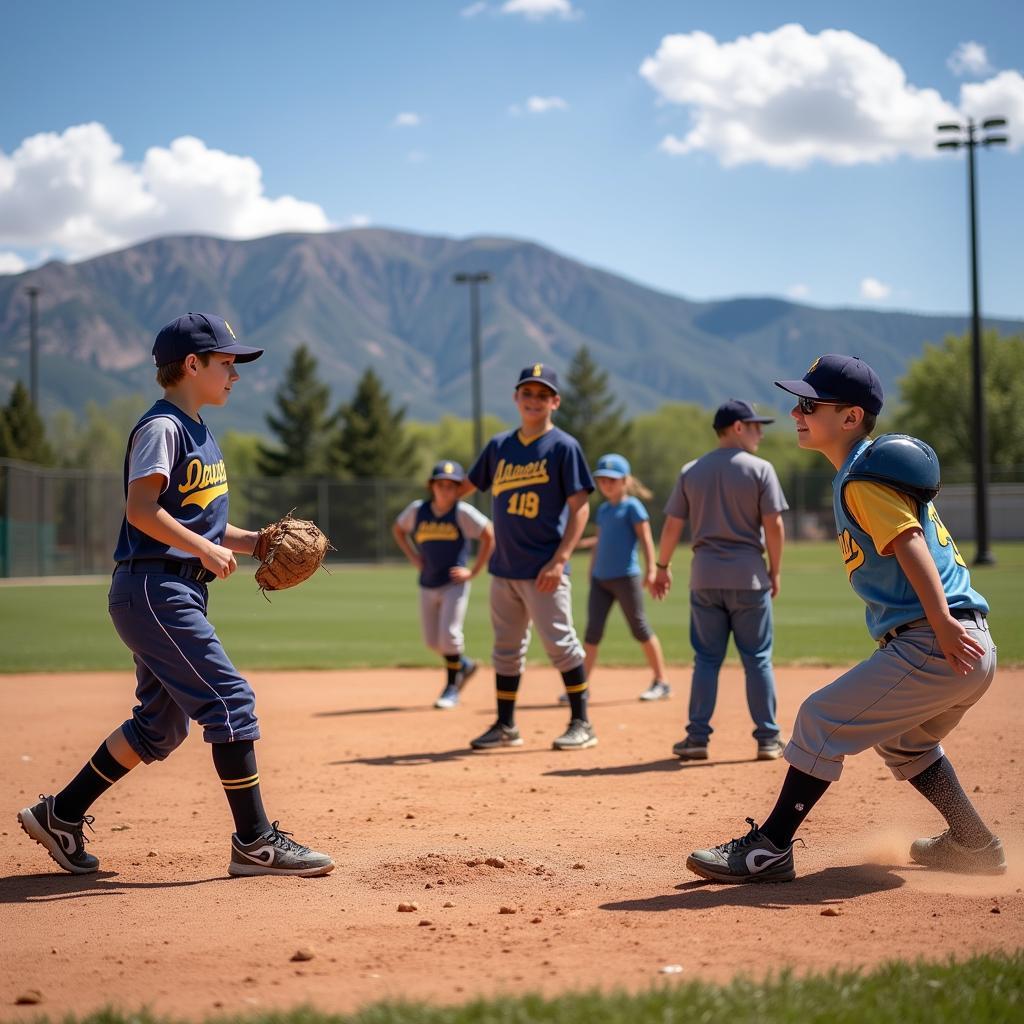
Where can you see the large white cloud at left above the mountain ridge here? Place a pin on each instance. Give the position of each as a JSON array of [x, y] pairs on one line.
[[76, 193]]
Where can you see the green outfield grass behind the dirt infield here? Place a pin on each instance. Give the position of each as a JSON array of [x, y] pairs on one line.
[[369, 617]]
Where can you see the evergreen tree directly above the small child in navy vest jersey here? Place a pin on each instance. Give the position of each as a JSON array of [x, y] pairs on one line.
[[373, 443]]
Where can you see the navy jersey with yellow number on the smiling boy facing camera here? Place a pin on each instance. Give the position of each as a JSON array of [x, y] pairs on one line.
[[530, 483]]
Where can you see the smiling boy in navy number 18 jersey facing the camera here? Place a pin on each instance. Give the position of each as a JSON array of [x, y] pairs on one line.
[[541, 483]]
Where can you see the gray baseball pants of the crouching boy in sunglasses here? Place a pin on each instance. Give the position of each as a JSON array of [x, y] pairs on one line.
[[903, 702]]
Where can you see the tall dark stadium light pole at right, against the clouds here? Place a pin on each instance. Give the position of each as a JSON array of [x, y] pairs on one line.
[[955, 136]]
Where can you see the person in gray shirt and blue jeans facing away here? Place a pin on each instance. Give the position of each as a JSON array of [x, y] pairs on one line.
[[735, 505]]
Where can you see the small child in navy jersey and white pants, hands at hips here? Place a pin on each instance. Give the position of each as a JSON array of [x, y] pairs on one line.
[[442, 530]]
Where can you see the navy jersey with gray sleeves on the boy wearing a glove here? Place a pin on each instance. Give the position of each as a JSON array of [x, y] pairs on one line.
[[167, 442]]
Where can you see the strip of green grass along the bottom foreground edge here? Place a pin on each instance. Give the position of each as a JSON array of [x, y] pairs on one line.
[[986, 990]]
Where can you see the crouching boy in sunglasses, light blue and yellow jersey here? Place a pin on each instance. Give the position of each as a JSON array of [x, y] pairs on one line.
[[935, 659]]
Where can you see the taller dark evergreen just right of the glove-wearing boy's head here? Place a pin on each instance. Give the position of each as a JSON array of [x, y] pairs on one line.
[[302, 423]]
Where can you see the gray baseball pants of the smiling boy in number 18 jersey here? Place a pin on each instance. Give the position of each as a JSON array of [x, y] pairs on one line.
[[515, 605]]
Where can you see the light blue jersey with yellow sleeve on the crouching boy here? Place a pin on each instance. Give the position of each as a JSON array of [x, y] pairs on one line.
[[869, 517]]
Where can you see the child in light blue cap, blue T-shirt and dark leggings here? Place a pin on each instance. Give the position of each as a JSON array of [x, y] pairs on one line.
[[615, 574]]
